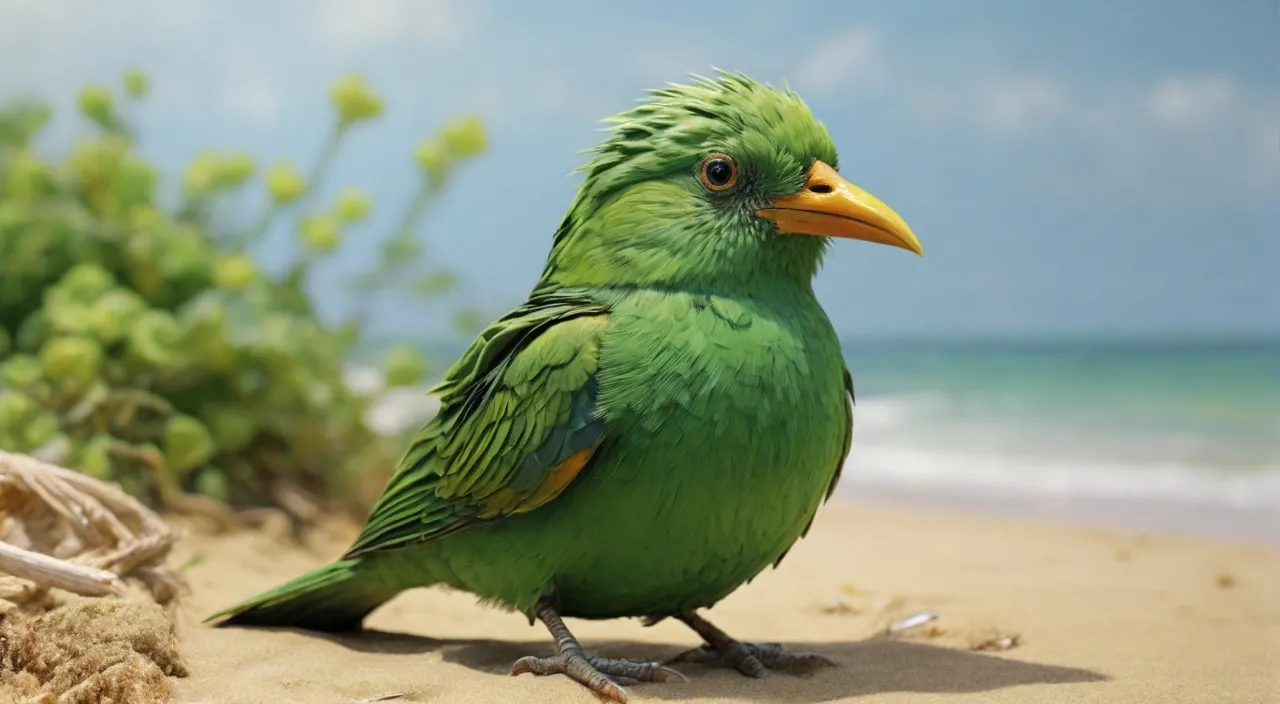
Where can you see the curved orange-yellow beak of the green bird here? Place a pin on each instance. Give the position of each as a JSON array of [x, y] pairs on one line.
[[831, 207]]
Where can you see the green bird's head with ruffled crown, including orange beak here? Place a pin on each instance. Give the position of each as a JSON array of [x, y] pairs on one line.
[[723, 185]]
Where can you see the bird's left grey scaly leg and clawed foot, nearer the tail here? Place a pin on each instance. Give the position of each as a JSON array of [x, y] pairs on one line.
[[591, 671]]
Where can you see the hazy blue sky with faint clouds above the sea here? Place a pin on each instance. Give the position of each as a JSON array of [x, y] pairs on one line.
[[1084, 168]]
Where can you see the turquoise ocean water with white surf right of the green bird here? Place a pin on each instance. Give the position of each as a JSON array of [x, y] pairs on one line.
[[1195, 423]]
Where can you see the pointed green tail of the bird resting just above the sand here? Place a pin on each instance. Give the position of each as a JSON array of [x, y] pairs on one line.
[[333, 598]]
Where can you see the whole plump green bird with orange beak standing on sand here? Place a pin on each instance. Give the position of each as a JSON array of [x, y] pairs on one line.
[[659, 422]]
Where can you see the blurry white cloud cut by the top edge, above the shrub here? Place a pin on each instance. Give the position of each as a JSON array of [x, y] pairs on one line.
[[354, 25]]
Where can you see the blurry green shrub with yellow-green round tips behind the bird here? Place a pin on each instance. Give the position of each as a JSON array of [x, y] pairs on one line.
[[143, 344]]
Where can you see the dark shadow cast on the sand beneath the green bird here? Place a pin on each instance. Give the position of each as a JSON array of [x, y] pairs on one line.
[[866, 668]]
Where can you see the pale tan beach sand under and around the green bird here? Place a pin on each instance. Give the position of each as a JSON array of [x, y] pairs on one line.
[[1092, 616]]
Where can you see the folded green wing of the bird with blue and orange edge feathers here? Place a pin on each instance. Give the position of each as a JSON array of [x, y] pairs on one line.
[[518, 423]]
